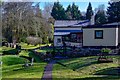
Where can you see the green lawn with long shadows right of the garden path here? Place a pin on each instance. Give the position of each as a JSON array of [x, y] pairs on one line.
[[85, 67]]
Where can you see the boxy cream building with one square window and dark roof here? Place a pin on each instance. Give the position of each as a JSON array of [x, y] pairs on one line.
[[107, 35]]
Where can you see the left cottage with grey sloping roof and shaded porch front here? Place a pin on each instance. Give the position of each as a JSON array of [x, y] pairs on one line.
[[69, 32]]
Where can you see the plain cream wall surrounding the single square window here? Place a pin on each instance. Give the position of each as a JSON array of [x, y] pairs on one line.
[[110, 37]]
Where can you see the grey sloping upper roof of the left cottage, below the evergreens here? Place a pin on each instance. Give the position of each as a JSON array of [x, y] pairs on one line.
[[71, 23]]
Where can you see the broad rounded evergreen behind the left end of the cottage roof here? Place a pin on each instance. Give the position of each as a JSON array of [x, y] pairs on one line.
[[58, 12]]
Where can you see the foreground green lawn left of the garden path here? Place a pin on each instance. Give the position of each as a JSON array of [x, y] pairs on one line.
[[12, 68]]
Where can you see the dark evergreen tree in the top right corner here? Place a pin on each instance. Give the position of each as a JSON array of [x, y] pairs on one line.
[[113, 11]]
